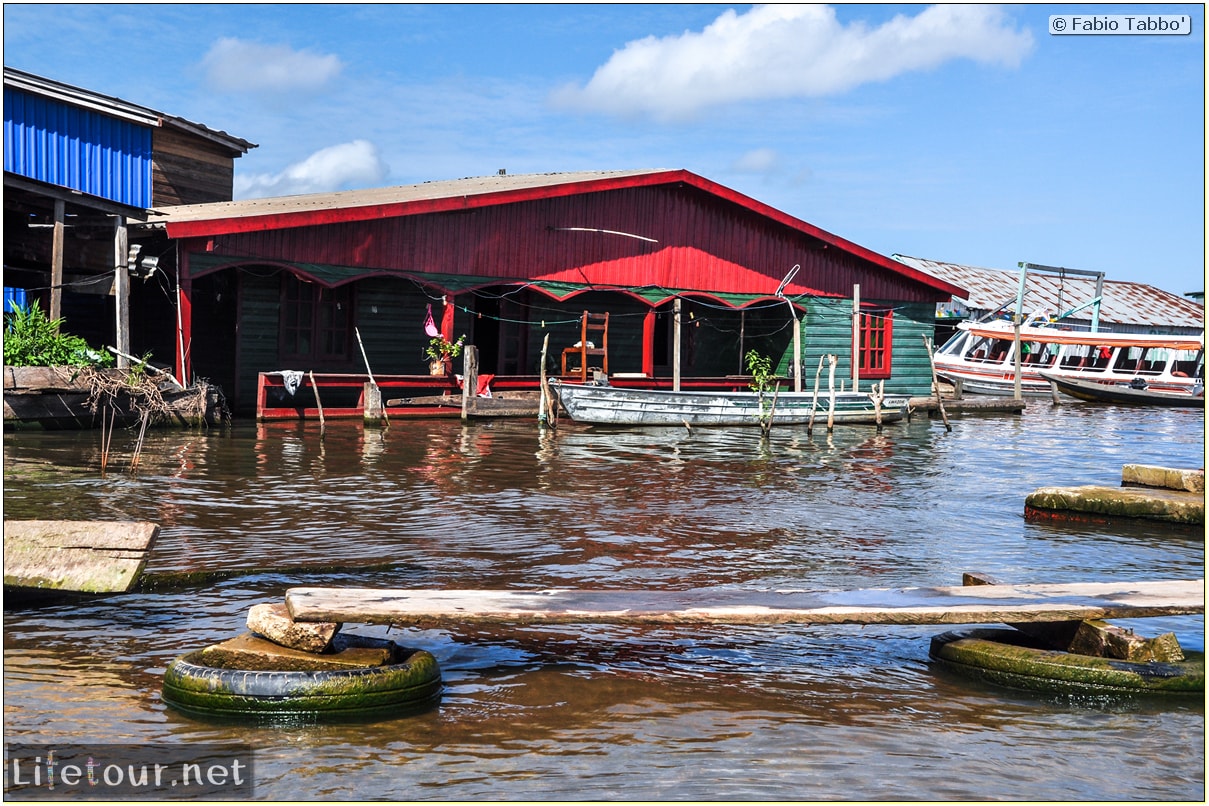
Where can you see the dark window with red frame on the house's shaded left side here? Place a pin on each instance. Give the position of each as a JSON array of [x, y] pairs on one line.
[[315, 322]]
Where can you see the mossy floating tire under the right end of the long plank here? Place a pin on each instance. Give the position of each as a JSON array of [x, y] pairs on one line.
[[1009, 658]]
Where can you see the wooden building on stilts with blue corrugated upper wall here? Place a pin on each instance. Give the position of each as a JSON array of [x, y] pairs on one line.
[[79, 167]]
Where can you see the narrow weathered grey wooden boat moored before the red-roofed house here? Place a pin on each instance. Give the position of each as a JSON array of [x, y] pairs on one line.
[[587, 403]]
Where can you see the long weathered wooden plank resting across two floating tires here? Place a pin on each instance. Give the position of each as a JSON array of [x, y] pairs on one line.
[[967, 605]]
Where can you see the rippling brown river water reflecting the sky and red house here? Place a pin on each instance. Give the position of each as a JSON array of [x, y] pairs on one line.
[[609, 712]]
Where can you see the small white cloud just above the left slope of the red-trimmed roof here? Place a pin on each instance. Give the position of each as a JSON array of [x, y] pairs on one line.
[[339, 167]]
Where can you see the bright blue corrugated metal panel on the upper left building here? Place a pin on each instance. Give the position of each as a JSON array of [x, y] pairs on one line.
[[76, 148]]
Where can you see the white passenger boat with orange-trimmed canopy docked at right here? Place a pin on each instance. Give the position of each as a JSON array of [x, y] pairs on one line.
[[982, 358]]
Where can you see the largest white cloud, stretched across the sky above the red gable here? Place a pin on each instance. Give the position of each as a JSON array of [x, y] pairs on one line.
[[789, 51]]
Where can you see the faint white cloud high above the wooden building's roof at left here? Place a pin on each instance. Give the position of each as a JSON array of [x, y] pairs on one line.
[[239, 66]]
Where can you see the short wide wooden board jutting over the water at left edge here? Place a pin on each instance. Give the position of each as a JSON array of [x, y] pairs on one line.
[[84, 556]]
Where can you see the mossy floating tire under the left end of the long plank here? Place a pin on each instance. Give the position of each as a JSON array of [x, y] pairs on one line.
[[413, 683]]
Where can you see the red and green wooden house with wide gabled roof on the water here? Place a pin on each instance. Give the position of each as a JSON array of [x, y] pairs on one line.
[[325, 283]]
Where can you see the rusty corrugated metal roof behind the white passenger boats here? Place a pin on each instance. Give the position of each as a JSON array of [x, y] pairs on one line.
[[1124, 304]]
